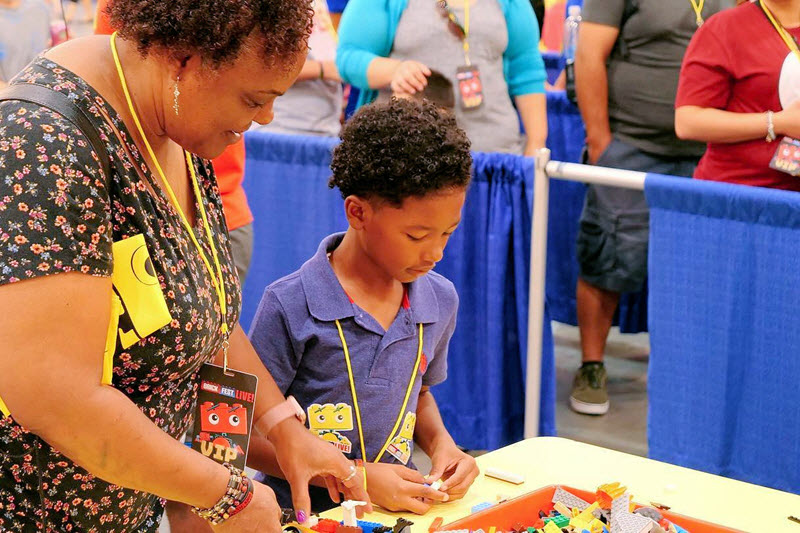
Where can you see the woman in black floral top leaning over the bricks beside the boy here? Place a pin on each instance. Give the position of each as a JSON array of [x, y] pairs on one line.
[[78, 455]]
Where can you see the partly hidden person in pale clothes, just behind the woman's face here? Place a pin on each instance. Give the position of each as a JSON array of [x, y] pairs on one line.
[[313, 105]]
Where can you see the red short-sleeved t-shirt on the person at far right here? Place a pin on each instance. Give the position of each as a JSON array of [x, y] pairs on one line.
[[735, 62]]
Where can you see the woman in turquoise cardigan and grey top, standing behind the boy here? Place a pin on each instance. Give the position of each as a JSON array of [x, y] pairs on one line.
[[408, 38]]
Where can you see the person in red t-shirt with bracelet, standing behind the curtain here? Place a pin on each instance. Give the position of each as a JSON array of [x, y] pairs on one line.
[[741, 95]]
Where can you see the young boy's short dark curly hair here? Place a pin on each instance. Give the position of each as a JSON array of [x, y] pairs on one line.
[[398, 149]]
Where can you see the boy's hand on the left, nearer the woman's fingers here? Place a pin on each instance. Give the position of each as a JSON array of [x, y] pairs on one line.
[[397, 488]]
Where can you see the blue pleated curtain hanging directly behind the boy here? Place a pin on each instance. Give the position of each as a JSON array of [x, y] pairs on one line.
[[487, 259]]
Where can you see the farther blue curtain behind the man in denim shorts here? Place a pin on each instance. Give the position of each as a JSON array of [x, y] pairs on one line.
[[565, 141]]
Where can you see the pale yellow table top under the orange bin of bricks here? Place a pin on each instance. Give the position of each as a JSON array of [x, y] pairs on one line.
[[556, 461]]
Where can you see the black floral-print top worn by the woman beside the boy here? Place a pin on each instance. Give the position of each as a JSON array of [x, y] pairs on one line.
[[60, 213]]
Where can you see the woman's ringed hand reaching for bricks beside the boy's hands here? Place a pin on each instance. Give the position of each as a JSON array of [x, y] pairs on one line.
[[303, 456]]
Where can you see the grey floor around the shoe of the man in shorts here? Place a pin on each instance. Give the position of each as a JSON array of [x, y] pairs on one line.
[[624, 427]]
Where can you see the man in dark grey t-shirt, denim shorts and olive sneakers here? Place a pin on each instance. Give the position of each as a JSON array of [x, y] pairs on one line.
[[626, 70]]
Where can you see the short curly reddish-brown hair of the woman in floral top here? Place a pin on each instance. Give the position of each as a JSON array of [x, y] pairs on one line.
[[215, 29]]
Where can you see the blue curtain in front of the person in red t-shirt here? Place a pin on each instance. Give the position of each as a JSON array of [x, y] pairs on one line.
[[724, 292]]
